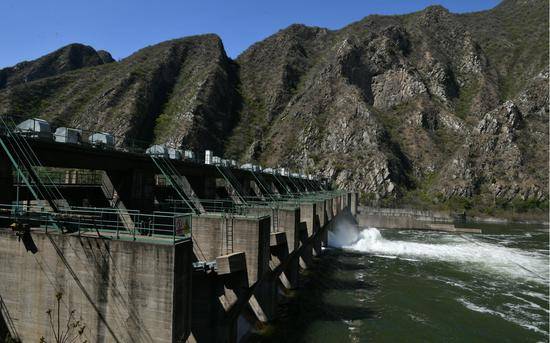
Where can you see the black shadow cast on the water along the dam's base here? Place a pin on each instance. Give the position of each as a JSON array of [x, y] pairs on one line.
[[308, 304]]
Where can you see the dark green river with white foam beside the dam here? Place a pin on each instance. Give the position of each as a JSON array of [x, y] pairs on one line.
[[417, 286]]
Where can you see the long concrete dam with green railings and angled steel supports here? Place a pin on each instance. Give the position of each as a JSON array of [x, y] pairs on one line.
[[126, 244]]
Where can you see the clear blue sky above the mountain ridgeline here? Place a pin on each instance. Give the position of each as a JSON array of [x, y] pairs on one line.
[[32, 28]]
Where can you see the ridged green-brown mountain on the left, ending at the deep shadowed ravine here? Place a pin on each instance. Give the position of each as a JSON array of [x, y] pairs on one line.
[[180, 91]]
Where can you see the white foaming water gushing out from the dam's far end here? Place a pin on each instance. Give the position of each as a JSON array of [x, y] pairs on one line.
[[465, 250]]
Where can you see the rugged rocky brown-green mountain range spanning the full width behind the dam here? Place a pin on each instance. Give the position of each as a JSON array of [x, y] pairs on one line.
[[433, 109]]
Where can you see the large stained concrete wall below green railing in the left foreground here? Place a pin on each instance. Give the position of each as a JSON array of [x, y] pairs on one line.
[[124, 291]]
